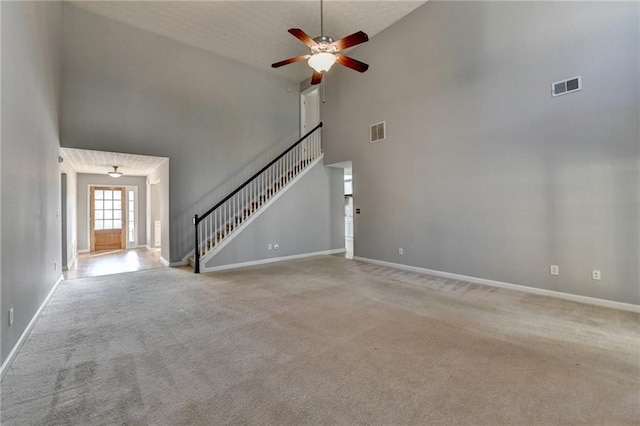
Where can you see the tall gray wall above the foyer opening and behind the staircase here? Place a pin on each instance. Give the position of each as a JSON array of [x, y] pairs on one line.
[[129, 90]]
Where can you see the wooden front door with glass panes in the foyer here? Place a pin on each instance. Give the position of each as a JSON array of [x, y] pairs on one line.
[[108, 224]]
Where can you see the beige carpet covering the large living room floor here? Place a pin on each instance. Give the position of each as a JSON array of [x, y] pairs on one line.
[[320, 341]]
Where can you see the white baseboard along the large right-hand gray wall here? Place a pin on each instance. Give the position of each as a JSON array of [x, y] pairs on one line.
[[539, 291]]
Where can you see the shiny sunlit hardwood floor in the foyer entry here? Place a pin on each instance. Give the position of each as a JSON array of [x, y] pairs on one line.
[[113, 262]]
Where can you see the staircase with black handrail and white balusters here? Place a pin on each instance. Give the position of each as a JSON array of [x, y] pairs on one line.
[[215, 228]]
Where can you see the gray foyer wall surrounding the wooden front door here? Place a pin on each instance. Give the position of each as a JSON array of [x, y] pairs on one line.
[[87, 180]]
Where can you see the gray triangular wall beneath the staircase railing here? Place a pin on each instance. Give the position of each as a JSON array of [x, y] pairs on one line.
[[308, 218]]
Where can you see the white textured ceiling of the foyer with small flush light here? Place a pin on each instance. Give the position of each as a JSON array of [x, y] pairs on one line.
[[100, 162]]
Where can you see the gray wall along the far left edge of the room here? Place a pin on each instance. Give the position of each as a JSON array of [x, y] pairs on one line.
[[30, 179]]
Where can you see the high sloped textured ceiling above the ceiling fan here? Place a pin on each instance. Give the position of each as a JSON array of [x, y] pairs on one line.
[[254, 32]]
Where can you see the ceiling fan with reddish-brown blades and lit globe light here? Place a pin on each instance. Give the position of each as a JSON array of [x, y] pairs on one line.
[[325, 51]]
